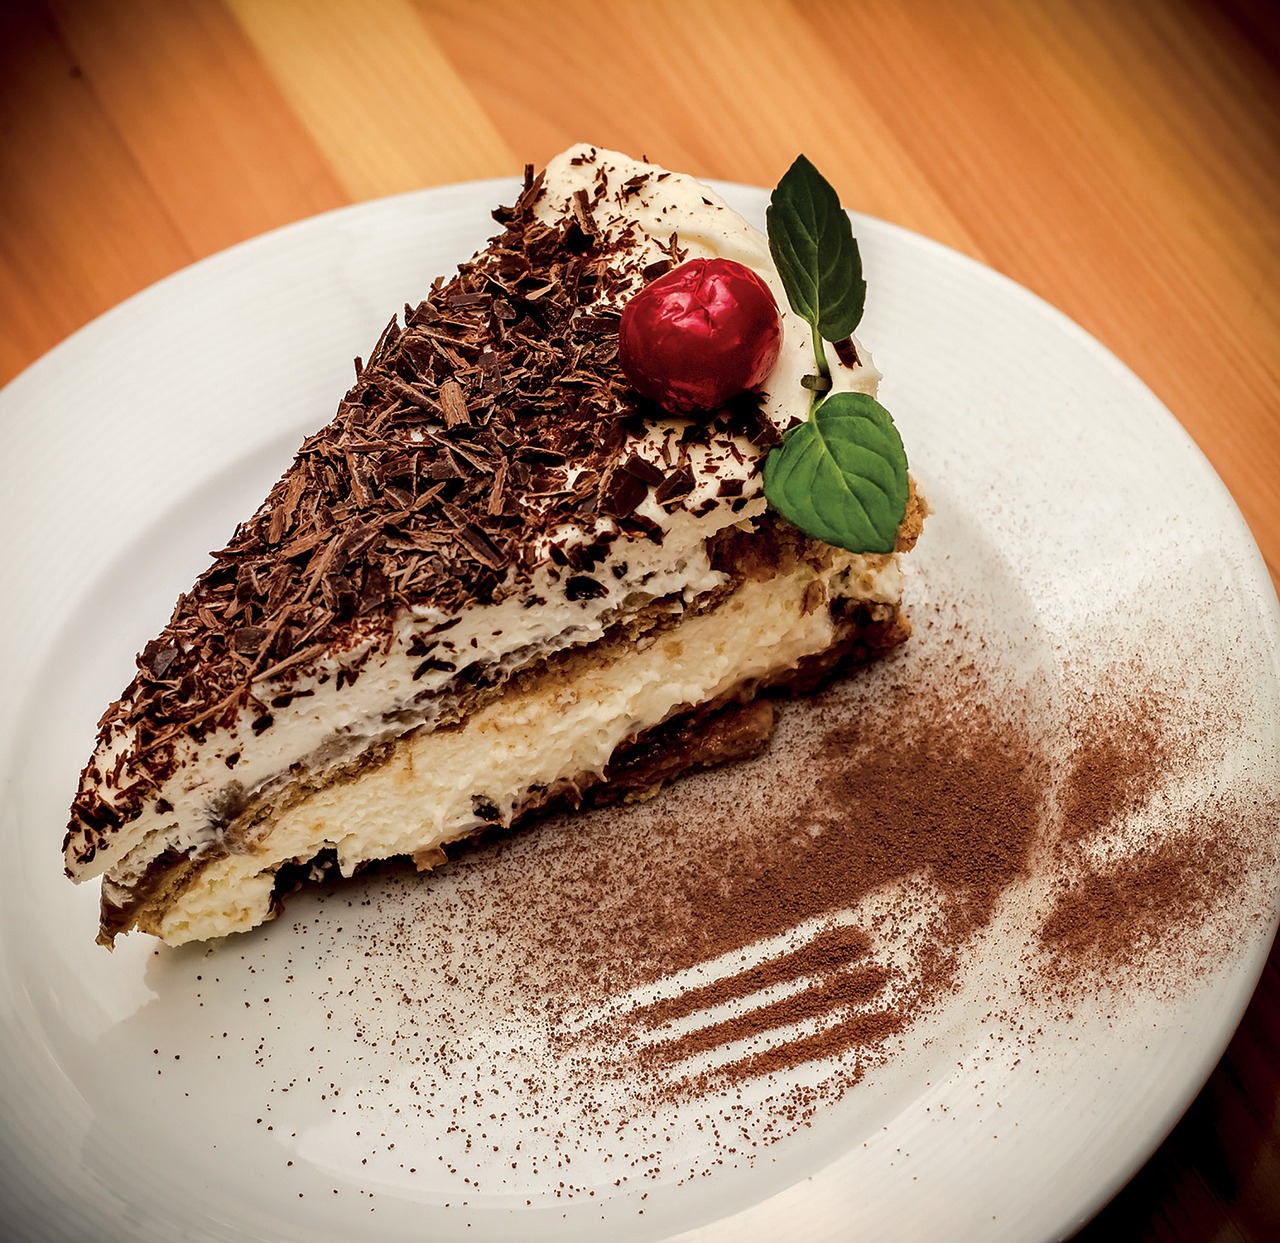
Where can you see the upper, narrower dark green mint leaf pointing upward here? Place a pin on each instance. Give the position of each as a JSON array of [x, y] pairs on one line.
[[816, 253]]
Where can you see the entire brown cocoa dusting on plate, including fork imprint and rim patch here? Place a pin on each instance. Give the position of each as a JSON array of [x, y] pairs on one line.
[[643, 995]]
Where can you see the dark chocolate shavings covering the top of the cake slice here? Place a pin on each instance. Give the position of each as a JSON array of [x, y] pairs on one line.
[[488, 421]]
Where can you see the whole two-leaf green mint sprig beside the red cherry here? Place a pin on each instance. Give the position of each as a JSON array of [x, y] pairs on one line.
[[842, 476]]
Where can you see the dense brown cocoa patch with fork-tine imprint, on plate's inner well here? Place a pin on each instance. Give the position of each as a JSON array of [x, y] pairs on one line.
[[922, 793]]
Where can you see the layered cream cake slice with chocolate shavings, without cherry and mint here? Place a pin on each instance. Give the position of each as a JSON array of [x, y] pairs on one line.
[[501, 581]]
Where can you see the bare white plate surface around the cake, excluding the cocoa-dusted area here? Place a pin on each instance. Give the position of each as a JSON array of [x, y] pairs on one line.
[[156, 1095]]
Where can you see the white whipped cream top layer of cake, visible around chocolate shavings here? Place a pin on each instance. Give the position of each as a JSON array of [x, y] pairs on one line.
[[395, 675]]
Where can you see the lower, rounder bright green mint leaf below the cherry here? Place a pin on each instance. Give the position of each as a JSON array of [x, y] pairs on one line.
[[842, 476]]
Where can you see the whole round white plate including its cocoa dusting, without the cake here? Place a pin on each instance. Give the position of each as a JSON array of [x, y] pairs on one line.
[[1045, 835]]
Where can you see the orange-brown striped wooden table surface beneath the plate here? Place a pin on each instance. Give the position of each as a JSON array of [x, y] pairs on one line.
[[1118, 158]]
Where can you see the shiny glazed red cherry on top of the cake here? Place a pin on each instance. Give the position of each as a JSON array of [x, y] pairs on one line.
[[701, 335]]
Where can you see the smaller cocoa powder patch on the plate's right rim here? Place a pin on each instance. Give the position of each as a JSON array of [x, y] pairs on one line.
[[1139, 875]]
